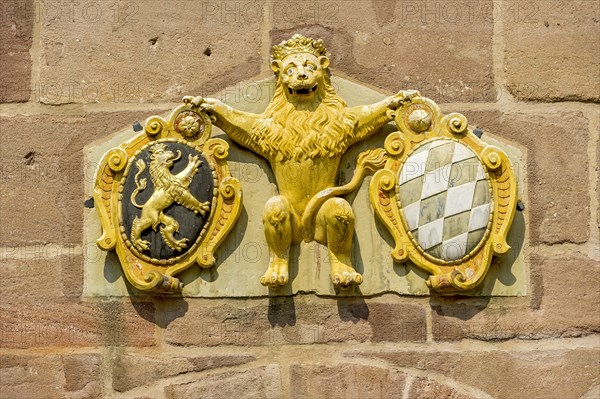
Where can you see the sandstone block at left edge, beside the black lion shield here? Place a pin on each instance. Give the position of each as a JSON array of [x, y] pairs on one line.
[[43, 175]]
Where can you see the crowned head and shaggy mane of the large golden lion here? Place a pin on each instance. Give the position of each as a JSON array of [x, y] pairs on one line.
[[306, 118]]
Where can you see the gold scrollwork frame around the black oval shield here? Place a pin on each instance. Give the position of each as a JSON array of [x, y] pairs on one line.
[[186, 126]]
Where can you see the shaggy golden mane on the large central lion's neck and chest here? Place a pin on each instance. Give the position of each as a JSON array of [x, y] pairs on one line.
[[284, 132]]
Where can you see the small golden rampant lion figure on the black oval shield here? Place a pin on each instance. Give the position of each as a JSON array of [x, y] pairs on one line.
[[168, 188]]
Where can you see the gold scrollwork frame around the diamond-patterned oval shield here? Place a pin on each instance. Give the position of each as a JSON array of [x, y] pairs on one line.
[[420, 121]]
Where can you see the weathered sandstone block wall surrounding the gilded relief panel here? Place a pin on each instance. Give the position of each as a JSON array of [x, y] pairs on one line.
[[75, 72]]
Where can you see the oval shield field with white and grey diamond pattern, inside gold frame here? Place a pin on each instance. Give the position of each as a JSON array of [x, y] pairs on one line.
[[445, 198]]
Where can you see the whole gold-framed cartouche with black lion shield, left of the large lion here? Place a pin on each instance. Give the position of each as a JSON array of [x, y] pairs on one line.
[[166, 199]]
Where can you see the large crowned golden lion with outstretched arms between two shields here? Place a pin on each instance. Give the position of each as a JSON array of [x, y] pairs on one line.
[[303, 134]]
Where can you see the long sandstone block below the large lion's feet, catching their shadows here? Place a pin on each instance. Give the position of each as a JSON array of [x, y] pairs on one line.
[[297, 320]]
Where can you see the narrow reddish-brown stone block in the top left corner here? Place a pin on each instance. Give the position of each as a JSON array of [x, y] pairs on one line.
[[16, 31]]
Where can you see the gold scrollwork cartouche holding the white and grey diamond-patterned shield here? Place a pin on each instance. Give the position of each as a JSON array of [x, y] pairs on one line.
[[447, 198]]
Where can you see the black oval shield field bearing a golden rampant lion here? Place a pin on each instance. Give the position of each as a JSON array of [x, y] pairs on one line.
[[166, 200]]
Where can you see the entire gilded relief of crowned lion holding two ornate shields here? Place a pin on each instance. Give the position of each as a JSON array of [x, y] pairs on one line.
[[166, 198]]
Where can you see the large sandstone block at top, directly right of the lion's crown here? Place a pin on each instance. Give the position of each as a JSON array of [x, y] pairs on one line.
[[442, 49]]
